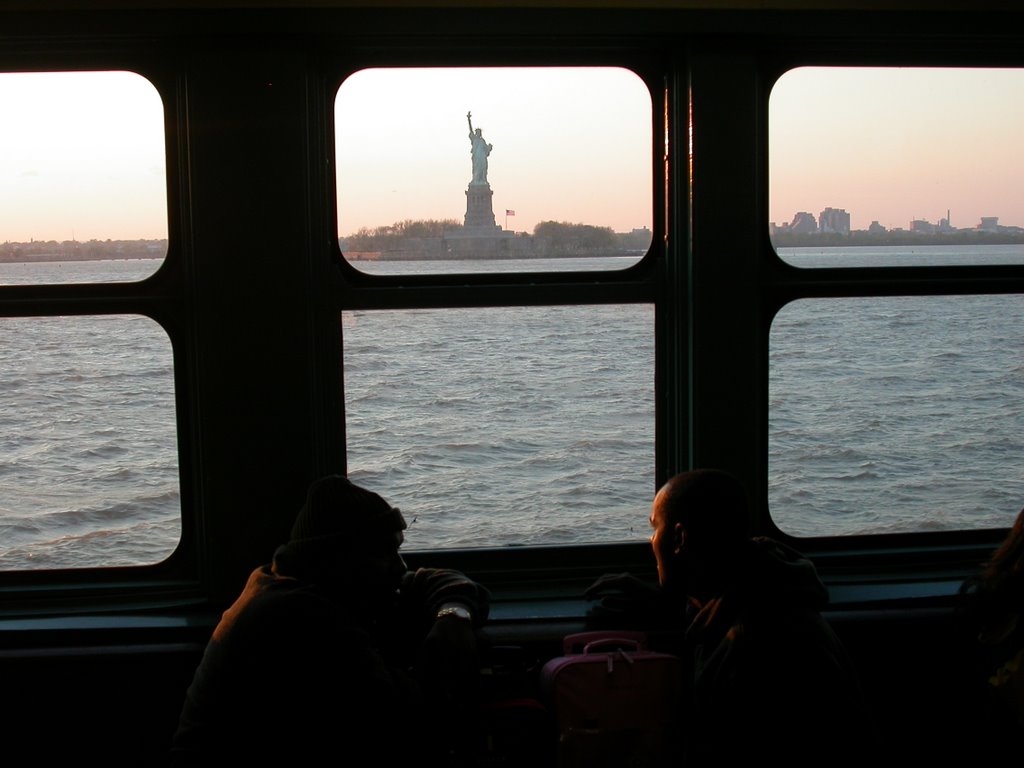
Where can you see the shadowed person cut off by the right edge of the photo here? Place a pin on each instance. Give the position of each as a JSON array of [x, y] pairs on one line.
[[995, 610]]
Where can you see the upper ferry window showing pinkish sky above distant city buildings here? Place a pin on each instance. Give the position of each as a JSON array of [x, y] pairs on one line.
[[898, 166]]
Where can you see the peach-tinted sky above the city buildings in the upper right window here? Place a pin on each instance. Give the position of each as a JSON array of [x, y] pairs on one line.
[[958, 145]]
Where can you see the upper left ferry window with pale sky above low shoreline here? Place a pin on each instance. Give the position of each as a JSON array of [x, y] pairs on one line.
[[83, 173]]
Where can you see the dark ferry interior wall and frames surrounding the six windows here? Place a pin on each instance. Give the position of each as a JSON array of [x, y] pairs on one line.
[[97, 660]]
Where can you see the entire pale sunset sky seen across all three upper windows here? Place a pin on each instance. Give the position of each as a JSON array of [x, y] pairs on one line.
[[84, 152]]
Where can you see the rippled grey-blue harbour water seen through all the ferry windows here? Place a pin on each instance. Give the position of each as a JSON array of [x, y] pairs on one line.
[[529, 425]]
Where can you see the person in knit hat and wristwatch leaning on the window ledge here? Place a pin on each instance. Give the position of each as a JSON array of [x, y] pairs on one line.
[[336, 650]]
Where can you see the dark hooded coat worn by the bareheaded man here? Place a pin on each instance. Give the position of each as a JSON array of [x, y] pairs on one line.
[[772, 680]]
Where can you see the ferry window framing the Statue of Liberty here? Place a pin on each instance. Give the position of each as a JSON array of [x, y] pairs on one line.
[[494, 169]]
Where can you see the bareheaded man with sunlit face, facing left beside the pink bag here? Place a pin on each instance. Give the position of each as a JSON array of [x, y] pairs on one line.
[[772, 682]]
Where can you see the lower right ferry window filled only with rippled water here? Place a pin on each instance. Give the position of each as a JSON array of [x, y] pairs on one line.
[[897, 414]]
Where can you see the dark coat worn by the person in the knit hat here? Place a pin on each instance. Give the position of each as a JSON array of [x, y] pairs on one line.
[[292, 673]]
